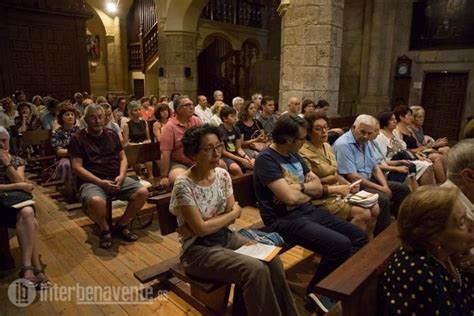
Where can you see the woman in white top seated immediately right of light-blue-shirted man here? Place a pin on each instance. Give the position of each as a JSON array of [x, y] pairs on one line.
[[395, 150]]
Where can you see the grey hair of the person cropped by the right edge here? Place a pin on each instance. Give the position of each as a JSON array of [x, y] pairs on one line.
[[460, 157]]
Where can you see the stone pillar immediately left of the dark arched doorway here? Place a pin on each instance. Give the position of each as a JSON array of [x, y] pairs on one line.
[[178, 51]]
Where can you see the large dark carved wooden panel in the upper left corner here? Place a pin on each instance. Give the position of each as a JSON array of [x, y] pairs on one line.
[[43, 52]]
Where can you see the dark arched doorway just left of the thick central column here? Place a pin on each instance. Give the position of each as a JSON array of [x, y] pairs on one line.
[[218, 69]]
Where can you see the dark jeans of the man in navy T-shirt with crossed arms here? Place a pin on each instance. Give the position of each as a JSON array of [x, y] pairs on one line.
[[315, 229]]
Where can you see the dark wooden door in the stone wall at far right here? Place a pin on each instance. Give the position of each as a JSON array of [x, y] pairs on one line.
[[444, 96]]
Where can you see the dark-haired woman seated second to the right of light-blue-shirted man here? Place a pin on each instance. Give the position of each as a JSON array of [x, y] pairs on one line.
[[404, 117]]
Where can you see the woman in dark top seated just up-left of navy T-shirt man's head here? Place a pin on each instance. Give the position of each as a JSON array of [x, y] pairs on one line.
[[254, 137]]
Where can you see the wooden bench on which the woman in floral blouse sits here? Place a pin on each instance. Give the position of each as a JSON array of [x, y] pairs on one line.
[[209, 298]]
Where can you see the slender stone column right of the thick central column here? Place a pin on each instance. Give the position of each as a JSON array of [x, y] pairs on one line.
[[377, 50]]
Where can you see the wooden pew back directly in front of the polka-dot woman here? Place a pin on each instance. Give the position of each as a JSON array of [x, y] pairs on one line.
[[354, 283]]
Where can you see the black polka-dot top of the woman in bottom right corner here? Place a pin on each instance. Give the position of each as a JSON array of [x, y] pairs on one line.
[[415, 283]]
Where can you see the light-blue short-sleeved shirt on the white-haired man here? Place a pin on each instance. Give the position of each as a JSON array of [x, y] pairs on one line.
[[351, 158]]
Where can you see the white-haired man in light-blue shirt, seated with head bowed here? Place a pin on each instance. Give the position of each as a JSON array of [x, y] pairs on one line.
[[356, 161]]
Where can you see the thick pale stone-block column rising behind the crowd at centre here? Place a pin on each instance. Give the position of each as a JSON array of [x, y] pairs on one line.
[[311, 41]]
